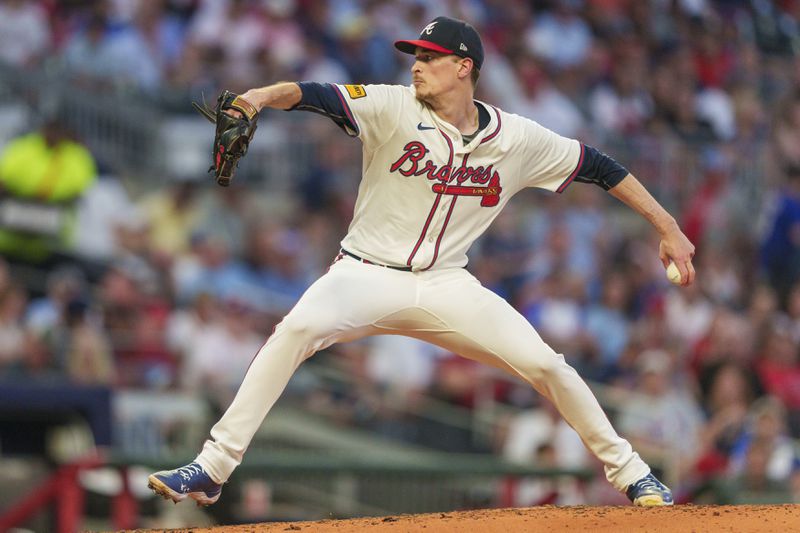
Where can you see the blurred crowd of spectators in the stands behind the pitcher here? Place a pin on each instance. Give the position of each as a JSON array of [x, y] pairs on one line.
[[178, 288]]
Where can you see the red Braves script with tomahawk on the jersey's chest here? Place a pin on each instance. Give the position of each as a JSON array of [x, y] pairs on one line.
[[411, 163]]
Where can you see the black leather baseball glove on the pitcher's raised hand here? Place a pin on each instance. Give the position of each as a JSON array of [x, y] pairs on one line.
[[233, 133]]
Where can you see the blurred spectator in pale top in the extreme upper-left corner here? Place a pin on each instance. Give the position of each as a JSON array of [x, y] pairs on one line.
[[24, 33]]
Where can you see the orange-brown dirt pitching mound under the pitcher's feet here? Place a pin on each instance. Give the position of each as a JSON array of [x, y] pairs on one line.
[[681, 518]]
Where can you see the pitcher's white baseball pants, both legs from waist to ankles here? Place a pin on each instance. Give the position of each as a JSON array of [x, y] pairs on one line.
[[447, 307]]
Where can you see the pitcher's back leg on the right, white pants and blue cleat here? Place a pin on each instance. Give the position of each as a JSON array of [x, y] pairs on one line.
[[482, 326]]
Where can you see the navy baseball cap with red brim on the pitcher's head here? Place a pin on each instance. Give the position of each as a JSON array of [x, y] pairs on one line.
[[448, 36]]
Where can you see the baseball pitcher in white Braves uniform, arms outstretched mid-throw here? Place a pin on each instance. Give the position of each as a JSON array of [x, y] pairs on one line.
[[438, 166]]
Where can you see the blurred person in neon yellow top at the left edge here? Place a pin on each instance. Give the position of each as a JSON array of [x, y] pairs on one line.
[[42, 174]]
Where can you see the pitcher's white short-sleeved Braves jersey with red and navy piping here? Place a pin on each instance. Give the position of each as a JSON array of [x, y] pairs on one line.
[[425, 196]]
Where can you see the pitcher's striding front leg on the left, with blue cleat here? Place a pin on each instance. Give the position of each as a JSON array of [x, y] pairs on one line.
[[340, 306]]
